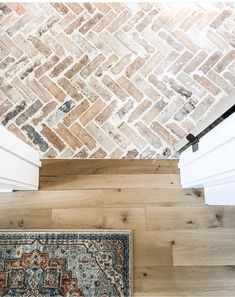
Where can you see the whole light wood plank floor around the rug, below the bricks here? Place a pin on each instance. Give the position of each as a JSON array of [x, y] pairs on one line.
[[181, 247]]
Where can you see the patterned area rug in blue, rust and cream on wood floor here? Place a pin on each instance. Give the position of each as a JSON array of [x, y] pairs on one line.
[[68, 263]]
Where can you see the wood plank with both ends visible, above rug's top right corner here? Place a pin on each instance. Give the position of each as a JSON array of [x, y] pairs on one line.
[[99, 218]]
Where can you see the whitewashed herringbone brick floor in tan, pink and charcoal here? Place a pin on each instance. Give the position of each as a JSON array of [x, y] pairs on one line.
[[112, 80]]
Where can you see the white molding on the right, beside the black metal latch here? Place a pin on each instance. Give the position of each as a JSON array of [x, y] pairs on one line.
[[212, 167]]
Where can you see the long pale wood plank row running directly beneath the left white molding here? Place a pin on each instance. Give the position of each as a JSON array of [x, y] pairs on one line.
[[99, 198]]
